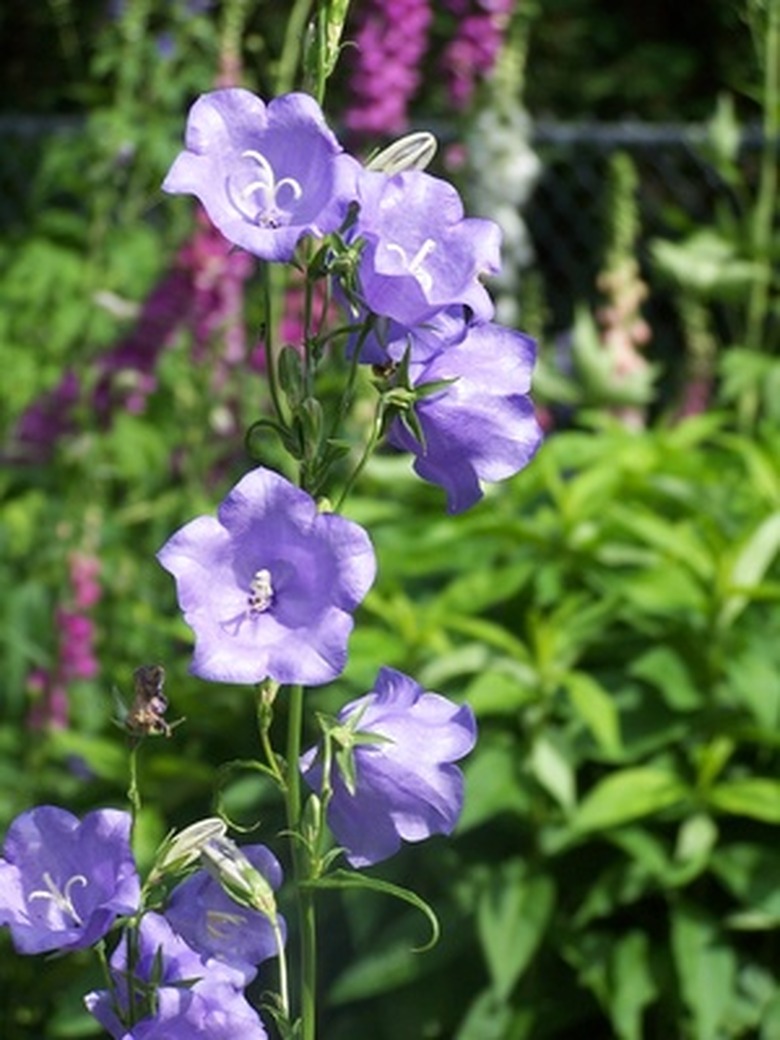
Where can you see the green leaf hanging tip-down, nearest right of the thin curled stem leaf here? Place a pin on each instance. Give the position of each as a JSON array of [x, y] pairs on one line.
[[513, 915]]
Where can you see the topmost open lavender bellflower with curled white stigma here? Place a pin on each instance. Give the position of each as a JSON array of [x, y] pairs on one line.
[[267, 175]]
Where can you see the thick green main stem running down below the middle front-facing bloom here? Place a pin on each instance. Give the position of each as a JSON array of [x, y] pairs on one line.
[[301, 866]]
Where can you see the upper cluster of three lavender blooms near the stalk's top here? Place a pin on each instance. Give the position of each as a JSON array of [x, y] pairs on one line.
[[270, 176]]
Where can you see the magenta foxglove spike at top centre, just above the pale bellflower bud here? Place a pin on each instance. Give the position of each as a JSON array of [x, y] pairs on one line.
[[392, 39]]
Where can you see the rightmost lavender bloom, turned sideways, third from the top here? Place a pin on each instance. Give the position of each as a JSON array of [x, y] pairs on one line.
[[482, 427]]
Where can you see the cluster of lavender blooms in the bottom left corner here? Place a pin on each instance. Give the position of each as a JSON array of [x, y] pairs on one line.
[[64, 886]]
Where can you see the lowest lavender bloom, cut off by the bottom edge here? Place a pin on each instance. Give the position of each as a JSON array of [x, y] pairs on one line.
[[177, 993]]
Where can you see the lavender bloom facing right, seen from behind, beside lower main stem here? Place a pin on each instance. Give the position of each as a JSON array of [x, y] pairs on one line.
[[405, 784]]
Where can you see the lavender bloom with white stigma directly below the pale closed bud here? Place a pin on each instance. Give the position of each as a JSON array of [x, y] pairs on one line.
[[422, 254]]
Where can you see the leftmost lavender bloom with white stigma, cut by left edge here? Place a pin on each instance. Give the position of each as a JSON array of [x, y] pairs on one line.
[[64, 881]]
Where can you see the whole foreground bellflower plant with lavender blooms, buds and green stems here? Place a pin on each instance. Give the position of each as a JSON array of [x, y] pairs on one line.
[[272, 582]]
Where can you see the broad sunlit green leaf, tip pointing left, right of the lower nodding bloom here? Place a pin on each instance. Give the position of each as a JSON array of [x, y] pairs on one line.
[[629, 795]]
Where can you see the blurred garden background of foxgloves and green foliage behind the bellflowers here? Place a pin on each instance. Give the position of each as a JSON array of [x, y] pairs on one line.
[[611, 614]]
